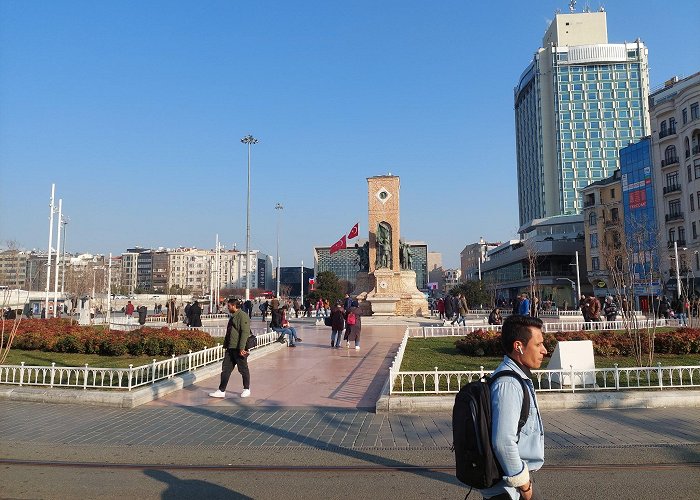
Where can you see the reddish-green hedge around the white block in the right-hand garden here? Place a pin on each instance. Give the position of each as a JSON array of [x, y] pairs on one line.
[[605, 342]]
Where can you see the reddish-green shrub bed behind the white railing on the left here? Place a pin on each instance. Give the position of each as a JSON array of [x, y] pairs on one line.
[[59, 335]]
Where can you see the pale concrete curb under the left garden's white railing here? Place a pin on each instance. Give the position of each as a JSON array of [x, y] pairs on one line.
[[121, 398]]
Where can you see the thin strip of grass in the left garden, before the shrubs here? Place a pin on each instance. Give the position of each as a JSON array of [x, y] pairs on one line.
[[41, 358]]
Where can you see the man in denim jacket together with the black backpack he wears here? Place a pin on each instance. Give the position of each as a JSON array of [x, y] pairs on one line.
[[499, 463]]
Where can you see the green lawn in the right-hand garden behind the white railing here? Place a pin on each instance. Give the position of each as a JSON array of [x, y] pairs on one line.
[[425, 354]]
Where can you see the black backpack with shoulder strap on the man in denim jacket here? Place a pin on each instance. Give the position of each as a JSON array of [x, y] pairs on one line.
[[475, 462]]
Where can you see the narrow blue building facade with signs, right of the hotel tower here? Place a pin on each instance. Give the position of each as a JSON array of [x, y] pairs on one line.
[[640, 212]]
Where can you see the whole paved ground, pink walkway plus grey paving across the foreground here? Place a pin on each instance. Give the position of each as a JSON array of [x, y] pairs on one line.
[[313, 408]]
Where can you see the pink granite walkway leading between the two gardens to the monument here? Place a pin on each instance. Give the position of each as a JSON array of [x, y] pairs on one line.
[[309, 375]]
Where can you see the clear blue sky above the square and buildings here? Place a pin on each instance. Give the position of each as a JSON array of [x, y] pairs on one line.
[[135, 110]]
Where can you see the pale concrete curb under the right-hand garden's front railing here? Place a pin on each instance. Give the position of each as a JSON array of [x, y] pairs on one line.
[[552, 401]]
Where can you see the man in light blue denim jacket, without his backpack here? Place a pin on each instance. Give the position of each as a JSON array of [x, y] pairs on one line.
[[519, 455]]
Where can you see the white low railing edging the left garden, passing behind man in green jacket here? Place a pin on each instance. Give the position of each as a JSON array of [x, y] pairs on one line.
[[87, 377]]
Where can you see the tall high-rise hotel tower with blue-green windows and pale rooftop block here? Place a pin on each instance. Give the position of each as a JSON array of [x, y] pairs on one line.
[[577, 103]]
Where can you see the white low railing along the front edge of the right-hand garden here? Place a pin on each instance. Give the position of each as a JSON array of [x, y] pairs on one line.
[[598, 379]]
